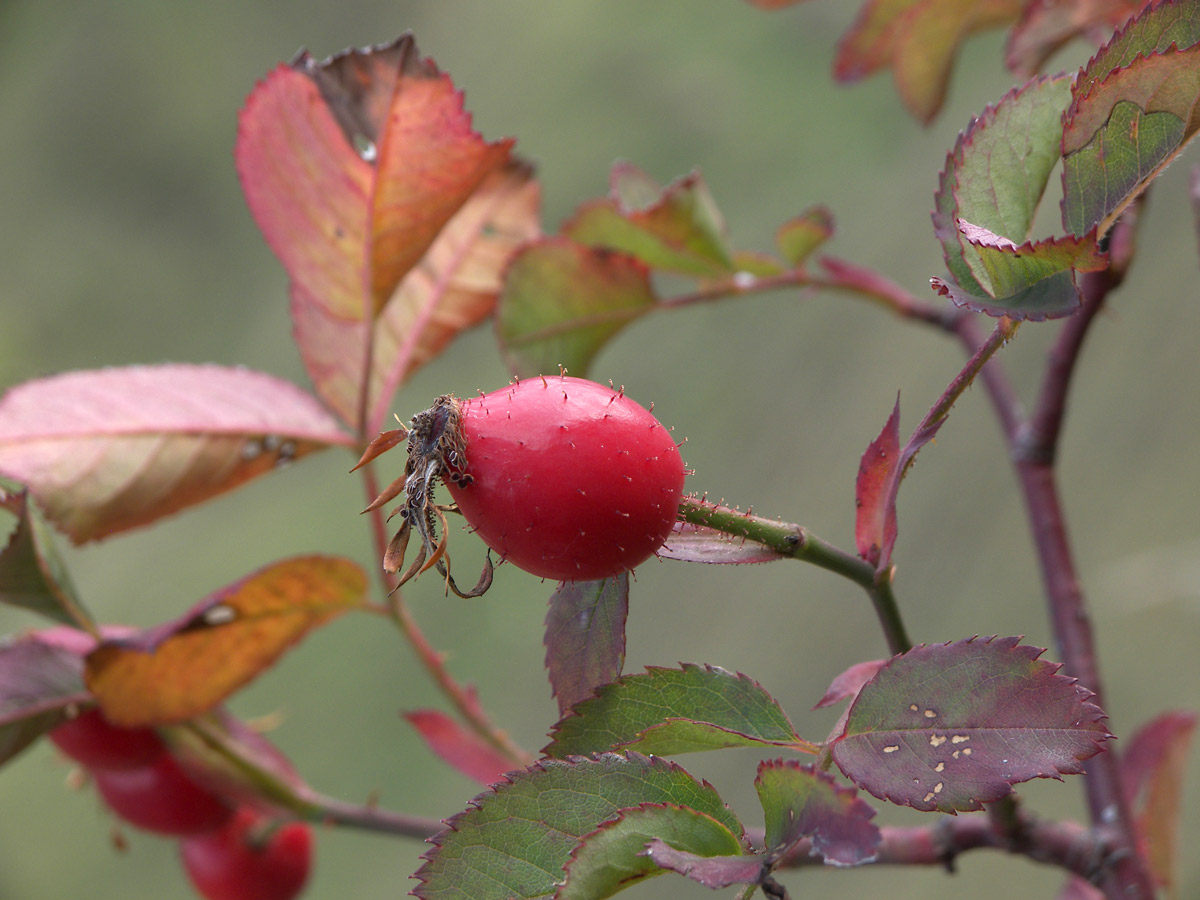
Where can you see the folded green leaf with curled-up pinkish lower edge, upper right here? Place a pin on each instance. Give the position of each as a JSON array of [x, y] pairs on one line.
[[986, 205]]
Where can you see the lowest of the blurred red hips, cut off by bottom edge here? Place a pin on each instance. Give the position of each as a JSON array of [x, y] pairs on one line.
[[235, 863]]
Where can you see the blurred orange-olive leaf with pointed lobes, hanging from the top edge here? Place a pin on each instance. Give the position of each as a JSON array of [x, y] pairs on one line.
[[919, 40]]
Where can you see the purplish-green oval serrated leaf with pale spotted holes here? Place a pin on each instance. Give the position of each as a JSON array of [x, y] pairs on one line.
[[952, 727]]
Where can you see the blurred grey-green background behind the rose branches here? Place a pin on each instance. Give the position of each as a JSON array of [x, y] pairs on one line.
[[124, 239]]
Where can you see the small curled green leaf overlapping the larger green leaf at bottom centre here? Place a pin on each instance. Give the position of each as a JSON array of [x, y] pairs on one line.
[[614, 859]]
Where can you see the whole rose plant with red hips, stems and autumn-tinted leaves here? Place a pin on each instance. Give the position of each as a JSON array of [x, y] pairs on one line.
[[400, 227]]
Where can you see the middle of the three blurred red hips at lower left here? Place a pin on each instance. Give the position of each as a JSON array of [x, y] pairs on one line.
[[161, 797]]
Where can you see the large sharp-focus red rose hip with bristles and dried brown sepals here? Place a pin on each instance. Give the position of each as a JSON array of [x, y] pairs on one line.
[[565, 478]]
